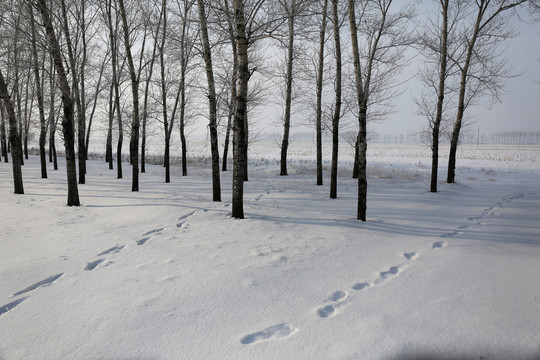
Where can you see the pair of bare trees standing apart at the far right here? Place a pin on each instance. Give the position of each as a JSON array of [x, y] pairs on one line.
[[465, 64]]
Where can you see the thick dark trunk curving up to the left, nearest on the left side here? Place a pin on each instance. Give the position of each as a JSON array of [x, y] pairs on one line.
[[67, 121]]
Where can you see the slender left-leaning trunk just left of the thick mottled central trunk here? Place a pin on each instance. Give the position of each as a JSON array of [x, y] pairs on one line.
[[212, 104]]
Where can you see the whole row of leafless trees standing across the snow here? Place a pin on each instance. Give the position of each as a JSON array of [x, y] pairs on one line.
[[118, 66]]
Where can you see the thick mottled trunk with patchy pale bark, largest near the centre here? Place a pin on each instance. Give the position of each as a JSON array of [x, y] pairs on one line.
[[239, 136]]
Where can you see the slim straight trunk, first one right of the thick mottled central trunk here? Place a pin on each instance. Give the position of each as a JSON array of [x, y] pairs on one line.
[[288, 93]]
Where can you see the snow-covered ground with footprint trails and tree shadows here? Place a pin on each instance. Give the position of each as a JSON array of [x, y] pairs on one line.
[[165, 273]]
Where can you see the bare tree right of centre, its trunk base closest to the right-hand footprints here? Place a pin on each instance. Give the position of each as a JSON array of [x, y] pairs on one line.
[[386, 38]]
